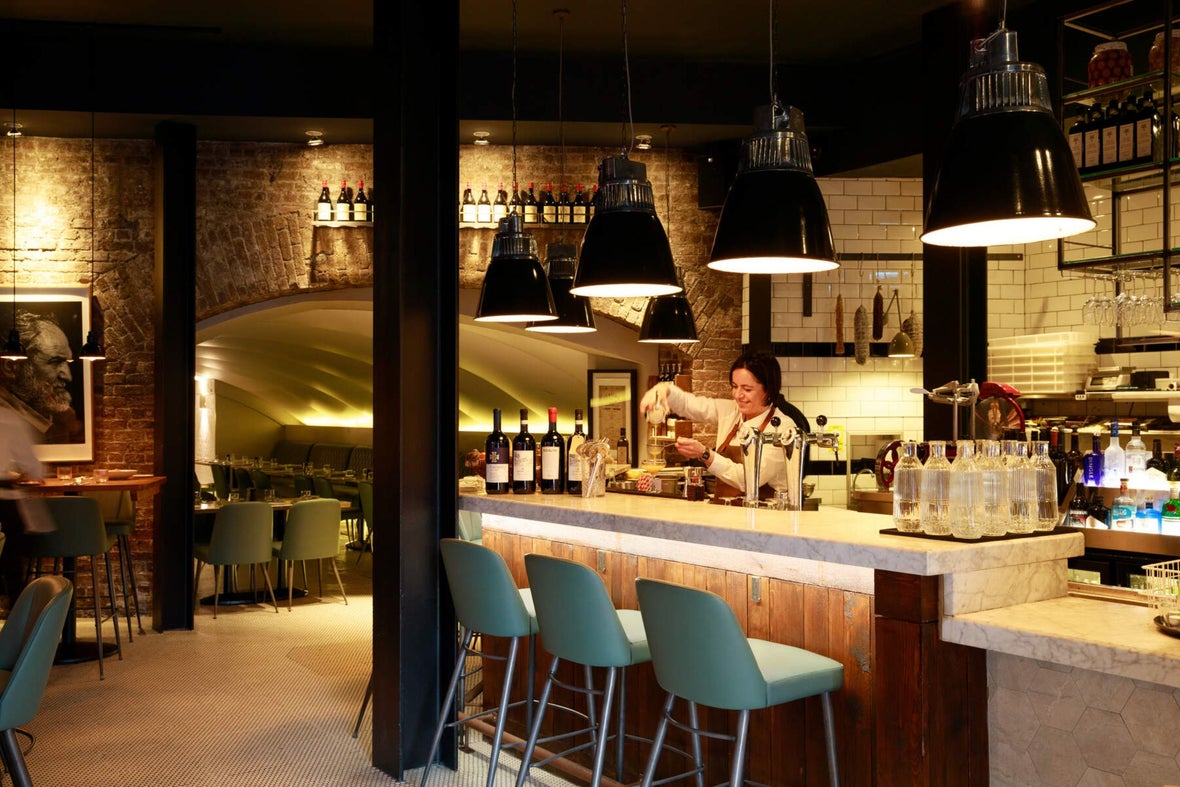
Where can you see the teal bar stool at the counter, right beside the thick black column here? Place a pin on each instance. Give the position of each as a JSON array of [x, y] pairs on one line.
[[488, 604]]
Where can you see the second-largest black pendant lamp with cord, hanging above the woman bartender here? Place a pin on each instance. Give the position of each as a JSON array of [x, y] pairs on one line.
[[775, 220]]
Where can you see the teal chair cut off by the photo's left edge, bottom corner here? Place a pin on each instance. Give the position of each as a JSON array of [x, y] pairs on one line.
[[29, 642]]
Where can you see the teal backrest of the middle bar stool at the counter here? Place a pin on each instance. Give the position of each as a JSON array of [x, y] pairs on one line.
[[578, 619]]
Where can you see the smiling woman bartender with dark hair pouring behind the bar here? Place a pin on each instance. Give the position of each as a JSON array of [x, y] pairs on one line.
[[755, 379]]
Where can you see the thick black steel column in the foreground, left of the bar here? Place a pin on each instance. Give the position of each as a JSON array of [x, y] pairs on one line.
[[415, 371]]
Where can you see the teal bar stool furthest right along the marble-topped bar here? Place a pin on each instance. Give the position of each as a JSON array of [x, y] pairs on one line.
[[702, 654]]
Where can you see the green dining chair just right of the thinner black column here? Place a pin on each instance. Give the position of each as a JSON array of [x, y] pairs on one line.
[[242, 536]]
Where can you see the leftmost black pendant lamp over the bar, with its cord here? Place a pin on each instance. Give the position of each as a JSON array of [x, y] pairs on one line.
[[515, 287]]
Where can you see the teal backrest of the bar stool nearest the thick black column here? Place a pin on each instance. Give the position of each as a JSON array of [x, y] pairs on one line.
[[486, 596]]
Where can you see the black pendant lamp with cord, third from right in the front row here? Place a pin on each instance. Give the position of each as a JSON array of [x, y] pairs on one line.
[[625, 251]]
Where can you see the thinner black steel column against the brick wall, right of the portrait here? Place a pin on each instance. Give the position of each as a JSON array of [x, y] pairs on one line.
[[174, 314]]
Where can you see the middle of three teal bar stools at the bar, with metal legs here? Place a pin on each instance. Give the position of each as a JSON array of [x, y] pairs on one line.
[[580, 625]]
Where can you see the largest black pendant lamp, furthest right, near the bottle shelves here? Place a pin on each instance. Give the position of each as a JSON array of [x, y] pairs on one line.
[[1008, 175]]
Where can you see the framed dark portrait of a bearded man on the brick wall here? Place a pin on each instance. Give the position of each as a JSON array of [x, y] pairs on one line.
[[51, 390]]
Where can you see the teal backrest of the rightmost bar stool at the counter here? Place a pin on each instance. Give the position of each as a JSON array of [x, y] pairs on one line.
[[699, 650]]
